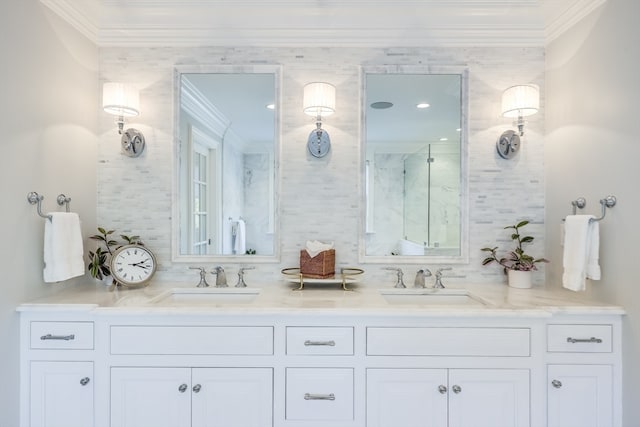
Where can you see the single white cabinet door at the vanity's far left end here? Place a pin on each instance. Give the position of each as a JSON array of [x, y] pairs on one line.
[[61, 394]]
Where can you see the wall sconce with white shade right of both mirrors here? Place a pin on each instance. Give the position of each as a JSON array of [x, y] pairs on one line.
[[517, 102]]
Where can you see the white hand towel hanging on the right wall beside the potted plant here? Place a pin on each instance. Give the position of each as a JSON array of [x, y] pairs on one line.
[[581, 242]]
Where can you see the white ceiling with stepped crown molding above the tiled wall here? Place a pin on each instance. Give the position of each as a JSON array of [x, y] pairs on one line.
[[353, 23]]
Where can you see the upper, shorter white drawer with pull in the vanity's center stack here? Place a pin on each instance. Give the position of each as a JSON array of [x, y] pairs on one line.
[[319, 340]]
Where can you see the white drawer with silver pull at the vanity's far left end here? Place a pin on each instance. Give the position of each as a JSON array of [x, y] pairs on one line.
[[62, 335]]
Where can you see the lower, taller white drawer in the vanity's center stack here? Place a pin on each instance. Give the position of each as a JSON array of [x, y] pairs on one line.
[[316, 394]]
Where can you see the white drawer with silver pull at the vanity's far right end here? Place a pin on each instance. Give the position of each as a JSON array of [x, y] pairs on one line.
[[579, 338]]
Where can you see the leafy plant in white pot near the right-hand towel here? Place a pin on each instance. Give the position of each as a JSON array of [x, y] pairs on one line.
[[516, 264]]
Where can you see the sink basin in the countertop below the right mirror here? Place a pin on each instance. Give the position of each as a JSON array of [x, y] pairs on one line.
[[437, 297]]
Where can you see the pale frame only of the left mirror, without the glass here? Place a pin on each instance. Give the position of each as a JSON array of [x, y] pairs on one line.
[[179, 70]]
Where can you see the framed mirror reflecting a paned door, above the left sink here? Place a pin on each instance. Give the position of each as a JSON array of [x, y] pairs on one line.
[[226, 165]]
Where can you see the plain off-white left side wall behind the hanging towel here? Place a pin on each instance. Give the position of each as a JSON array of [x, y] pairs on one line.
[[48, 108]]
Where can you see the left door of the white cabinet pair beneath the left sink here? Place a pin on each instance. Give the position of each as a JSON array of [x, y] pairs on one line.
[[150, 397]]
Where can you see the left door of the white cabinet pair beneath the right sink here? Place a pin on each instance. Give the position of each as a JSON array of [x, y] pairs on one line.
[[406, 397]]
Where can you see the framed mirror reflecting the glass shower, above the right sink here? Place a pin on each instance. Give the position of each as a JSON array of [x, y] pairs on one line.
[[414, 176]]
